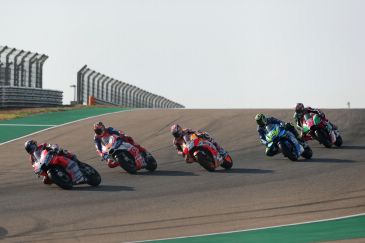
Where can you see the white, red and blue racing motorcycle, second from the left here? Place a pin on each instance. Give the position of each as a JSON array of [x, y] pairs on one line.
[[128, 156]]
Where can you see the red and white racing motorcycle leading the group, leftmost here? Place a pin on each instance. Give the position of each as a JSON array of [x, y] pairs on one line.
[[65, 172]]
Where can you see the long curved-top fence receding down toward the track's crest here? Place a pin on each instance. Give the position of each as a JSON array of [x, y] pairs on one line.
[[112, 91]]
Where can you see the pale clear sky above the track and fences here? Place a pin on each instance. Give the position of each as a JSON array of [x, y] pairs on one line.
[[201, 53]]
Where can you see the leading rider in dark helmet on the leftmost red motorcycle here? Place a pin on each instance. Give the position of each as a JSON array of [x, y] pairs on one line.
[[35, 152]]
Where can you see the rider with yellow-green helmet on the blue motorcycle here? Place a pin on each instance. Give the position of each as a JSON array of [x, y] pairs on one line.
[[262, 121]]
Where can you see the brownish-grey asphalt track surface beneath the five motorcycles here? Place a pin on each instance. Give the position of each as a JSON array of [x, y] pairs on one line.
[[182, 199]]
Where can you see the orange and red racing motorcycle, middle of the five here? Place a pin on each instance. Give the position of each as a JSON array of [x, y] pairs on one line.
[[205, 153]]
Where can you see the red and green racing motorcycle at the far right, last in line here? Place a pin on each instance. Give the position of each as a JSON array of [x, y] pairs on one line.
[[314, 127]]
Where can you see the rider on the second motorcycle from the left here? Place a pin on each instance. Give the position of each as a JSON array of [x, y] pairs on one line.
[[102, 135]]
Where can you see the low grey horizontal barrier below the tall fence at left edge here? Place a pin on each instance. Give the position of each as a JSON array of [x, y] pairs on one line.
[[29, 97]]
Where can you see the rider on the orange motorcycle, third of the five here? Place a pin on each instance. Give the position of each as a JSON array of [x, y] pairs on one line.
[[182, 136]]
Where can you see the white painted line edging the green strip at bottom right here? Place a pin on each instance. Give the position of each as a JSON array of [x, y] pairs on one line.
[[253, 229]]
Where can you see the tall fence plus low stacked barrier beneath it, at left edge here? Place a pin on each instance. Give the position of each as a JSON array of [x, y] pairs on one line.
[[21, 80]]
